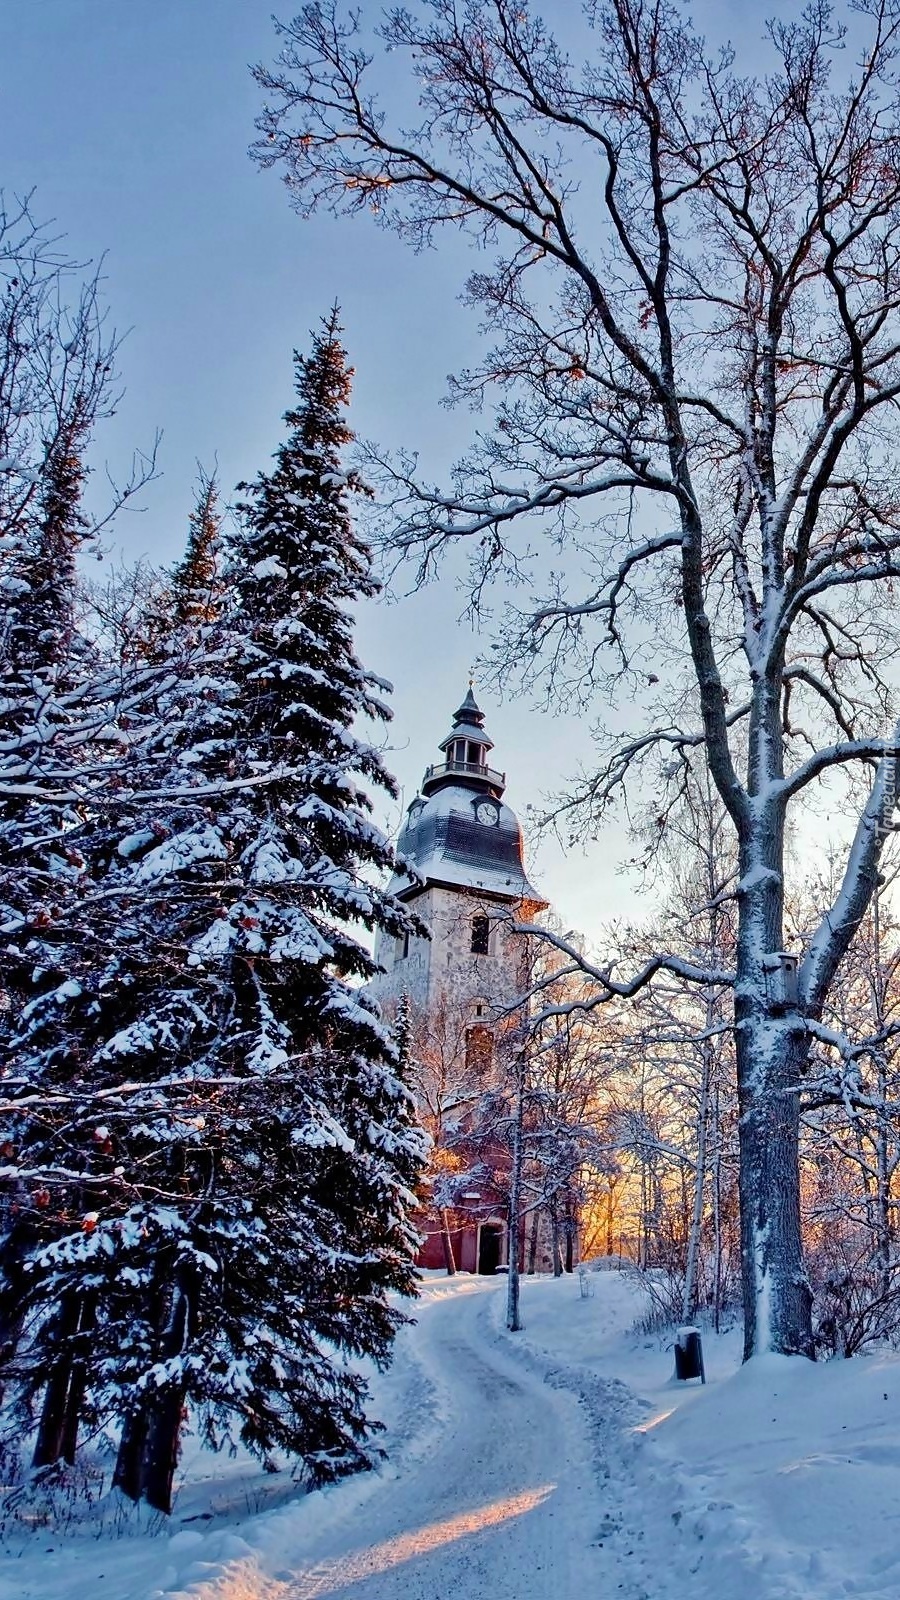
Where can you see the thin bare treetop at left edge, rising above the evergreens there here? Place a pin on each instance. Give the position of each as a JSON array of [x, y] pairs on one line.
[[57, 385]]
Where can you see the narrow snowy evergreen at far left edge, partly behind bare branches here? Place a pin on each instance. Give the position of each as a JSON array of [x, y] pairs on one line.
[[46, 665]]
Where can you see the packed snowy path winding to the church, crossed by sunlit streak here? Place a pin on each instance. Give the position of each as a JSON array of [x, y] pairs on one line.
[[496, 1503]]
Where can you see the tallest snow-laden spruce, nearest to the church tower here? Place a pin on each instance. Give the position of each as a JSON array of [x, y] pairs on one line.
[[254, 1174]]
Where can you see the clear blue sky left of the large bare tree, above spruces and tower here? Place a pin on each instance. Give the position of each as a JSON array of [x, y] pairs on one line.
[[132, 122]]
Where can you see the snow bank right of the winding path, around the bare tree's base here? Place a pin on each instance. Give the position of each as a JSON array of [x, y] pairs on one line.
[[784, 1474]]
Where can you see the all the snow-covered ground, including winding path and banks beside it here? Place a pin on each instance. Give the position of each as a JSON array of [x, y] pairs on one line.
[[563, 1462]]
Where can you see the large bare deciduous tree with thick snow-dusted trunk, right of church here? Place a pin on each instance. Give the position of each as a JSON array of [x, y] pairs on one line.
[[696, 374]]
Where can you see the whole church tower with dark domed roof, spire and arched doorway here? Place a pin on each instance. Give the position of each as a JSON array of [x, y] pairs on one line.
[[467, 882]]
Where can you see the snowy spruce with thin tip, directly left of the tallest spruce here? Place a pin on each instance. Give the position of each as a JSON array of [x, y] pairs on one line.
[[159, 636]]
